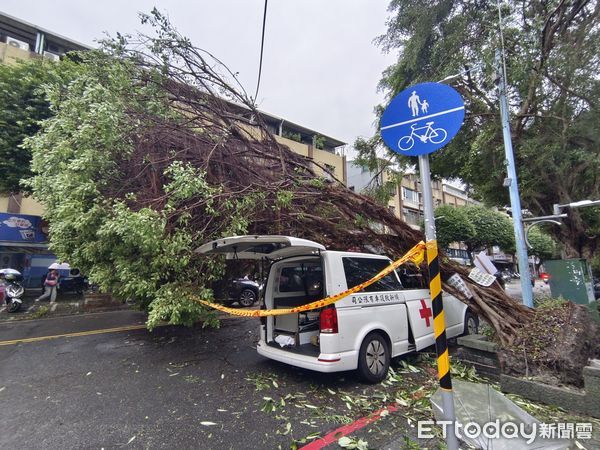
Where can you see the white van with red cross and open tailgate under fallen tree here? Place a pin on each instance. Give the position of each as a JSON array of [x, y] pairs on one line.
[[361, 331]]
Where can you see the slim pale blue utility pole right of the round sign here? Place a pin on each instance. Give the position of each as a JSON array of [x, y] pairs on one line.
[[513, 187]]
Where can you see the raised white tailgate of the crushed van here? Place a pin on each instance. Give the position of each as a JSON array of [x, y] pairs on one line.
[[258, 247]]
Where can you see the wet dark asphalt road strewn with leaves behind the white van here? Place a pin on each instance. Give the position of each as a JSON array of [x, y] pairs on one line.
[[172, 388]]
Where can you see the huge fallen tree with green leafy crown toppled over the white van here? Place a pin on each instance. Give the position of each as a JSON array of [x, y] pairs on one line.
[[154, 149]]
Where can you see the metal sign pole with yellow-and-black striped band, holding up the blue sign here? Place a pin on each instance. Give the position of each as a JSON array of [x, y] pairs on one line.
[[435, 289]]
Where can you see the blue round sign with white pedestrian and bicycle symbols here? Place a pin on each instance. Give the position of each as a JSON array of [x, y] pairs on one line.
[[422, 119]]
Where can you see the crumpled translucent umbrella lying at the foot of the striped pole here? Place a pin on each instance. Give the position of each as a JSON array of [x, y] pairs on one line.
[[479, 403]]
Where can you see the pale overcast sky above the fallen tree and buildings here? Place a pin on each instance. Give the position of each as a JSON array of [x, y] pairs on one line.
[[320, 65]]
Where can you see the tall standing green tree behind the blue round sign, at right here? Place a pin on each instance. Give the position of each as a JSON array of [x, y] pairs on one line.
[[552, 65]]
